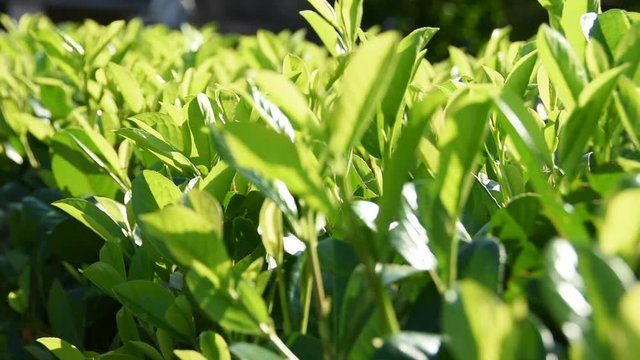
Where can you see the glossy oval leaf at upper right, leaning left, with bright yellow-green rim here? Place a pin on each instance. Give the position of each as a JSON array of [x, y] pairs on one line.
[[562, 64]]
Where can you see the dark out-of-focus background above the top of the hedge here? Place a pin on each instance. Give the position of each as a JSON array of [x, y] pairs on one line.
[[463, 23]]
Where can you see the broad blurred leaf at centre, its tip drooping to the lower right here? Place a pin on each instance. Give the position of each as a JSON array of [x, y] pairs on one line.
[[273, 157]]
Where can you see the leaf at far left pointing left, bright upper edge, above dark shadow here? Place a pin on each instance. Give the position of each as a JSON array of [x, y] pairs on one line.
[[91, 216]]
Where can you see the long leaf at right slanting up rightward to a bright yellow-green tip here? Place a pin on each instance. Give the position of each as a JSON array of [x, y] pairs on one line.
[[579, 128]]
